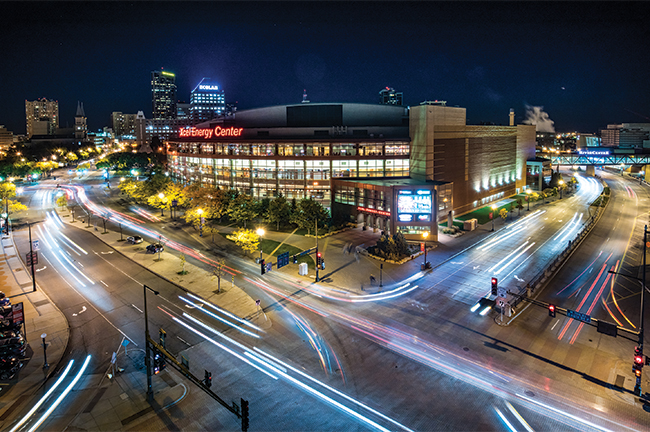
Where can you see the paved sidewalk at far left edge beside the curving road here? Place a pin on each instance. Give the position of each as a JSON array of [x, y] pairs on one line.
[[41, 317]]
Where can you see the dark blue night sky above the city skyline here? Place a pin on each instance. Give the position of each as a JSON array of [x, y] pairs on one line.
[[586, 63]]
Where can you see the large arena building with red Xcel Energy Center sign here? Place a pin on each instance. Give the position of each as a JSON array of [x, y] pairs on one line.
[[390, 167]]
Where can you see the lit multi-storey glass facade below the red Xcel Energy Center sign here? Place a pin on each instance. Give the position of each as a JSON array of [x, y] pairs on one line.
[[297, 169]]
